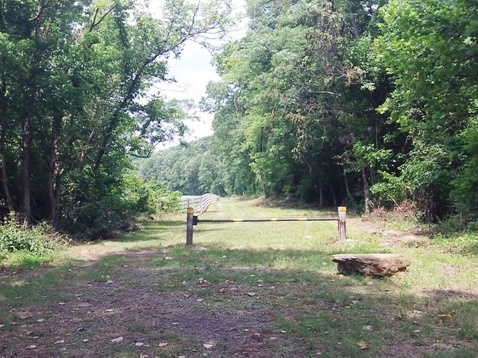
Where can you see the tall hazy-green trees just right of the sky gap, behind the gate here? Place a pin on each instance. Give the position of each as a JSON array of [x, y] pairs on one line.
[[298, 98]]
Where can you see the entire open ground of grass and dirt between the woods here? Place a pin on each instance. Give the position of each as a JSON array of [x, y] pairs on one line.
[[244, 290]]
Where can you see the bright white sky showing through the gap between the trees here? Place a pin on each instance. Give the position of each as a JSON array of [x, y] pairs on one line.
[[192, 72]]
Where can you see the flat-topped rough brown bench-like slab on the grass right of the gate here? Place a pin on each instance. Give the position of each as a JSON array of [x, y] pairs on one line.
[[377, 265]]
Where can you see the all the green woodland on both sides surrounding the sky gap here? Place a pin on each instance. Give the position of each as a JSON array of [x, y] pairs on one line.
[[365, 103]]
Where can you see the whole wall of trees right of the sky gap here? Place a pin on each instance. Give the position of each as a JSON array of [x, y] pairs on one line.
[[366, 103]]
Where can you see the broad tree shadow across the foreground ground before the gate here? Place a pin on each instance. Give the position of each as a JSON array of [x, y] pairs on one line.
[[298, 292]]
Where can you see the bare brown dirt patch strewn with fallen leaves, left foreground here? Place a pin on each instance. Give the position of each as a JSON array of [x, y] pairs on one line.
[[117, 311]]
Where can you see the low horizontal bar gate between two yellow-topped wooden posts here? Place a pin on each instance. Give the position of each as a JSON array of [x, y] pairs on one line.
[[193, 220]]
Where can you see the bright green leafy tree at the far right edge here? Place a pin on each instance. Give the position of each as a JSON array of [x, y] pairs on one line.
[[430, 49]]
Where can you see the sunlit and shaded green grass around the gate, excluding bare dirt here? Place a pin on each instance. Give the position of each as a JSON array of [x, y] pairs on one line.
[[279, 270]]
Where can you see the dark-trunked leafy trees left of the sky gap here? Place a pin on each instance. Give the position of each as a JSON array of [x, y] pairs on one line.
[[76, 101]]
